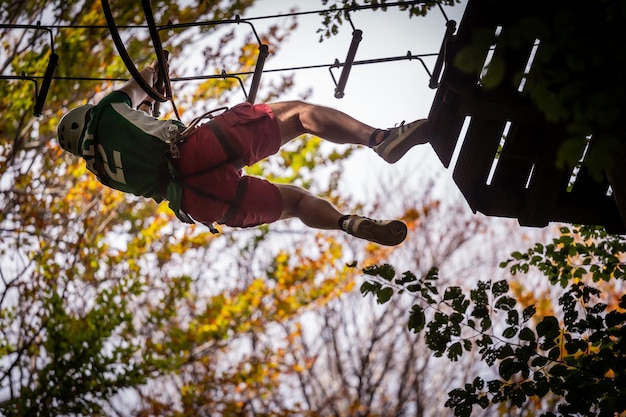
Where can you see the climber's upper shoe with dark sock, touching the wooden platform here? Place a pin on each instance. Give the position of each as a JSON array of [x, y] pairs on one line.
[[398, 140]]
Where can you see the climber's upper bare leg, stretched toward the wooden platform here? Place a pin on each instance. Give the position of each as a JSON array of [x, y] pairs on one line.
[[296, 118]]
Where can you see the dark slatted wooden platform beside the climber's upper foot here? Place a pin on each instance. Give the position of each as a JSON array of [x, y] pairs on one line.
[[502, 125]]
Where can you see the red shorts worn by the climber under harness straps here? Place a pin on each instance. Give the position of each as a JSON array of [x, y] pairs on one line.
[[212, 183]]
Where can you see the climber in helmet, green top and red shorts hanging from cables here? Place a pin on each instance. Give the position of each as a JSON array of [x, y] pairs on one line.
[[198, 169]]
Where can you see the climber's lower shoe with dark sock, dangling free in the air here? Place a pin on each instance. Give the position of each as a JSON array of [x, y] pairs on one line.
[[384, 232]]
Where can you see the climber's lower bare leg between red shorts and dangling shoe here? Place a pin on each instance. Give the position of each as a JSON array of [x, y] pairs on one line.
[[312, 210]]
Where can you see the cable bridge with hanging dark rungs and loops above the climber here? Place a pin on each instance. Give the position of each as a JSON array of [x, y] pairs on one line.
[[166, 93]]
